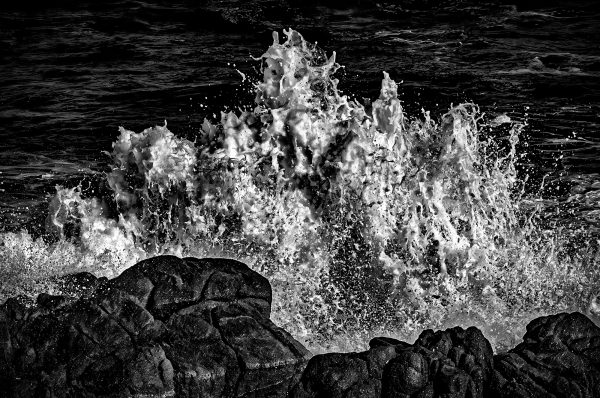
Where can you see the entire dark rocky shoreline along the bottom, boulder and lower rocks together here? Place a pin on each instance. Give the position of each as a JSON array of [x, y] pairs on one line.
[[201, 328]]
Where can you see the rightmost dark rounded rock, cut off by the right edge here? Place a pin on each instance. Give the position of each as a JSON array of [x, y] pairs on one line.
[[559, 357]]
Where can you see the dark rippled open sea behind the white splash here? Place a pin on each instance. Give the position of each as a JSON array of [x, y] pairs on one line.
[[72, 72]]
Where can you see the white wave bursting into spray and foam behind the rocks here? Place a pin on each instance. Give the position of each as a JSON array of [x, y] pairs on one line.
[[366, 221]]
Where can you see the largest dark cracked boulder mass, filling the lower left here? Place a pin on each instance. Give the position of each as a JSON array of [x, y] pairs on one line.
[[165, 327]]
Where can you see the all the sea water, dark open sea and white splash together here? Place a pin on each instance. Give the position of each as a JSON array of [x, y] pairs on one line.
[[368, 217]]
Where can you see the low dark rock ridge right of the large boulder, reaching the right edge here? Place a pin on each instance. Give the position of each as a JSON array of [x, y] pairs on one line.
[[560, 357]]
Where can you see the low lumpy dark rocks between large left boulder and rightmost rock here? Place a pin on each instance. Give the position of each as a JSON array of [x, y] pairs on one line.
[[452, 363]]
